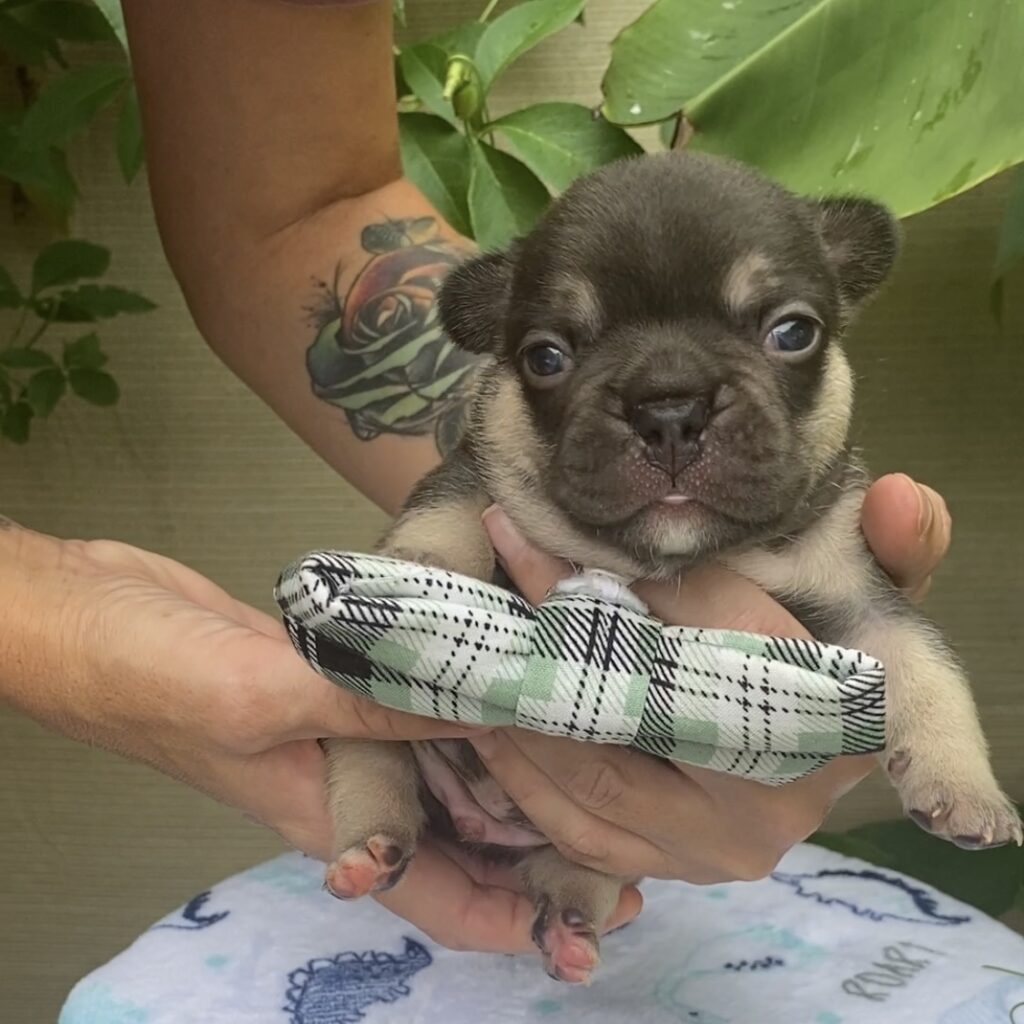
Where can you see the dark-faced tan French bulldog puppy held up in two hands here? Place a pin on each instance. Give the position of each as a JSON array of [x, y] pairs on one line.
[[667, 387]]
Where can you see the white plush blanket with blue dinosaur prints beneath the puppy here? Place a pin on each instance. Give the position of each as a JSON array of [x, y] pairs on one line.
[[826, 941]]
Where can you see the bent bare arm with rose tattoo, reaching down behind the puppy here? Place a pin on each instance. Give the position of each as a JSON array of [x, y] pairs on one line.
[[273, 155]]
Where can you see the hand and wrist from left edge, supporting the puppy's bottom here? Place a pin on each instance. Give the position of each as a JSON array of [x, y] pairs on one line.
[[134, 653]]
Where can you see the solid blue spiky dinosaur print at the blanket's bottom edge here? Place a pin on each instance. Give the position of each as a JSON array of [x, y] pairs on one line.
[[342, 990]]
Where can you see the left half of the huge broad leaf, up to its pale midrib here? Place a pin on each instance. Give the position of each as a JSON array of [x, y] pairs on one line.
[[679, 49]]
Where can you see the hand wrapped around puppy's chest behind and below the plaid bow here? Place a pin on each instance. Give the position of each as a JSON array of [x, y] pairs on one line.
[[605, 806]]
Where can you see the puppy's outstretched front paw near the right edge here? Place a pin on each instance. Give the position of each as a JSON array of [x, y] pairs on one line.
[[967, 808]]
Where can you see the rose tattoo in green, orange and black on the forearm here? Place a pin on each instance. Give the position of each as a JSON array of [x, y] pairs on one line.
[[380, 354]]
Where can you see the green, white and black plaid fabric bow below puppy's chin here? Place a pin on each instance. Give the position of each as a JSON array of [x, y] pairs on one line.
[[588, 667]]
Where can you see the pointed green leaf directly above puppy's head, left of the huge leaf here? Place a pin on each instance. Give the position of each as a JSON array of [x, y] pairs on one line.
[[562, 142]]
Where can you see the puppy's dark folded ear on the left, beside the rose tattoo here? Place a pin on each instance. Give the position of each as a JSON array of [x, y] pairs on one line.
[[475, 301]]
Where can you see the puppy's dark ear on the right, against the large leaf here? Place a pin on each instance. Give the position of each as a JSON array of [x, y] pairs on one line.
[[863, 241]]
